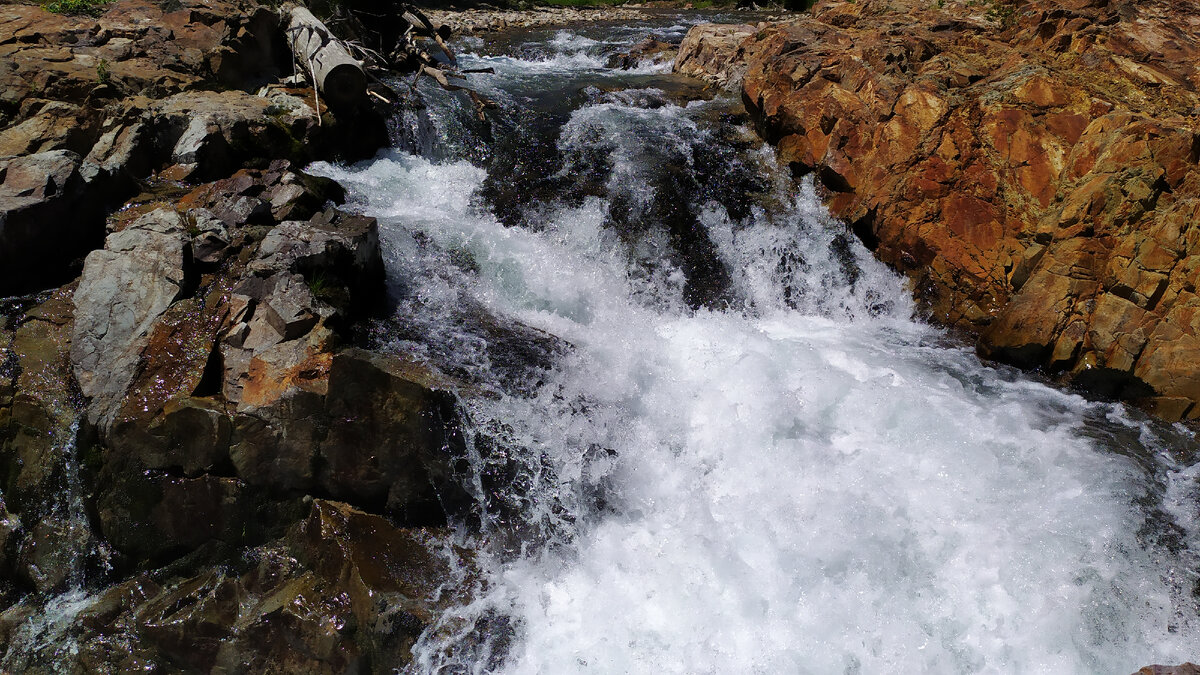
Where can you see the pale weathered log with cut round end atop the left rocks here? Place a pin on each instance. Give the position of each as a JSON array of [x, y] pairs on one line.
[[334, 71]]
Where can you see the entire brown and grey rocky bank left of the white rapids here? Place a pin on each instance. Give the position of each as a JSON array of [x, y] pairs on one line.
[[200, 471]]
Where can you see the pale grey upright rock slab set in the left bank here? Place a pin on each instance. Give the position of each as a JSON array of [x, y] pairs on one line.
[[124, 290]]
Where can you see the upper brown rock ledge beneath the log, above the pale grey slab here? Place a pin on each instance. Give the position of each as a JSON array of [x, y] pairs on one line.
[[88, 106]]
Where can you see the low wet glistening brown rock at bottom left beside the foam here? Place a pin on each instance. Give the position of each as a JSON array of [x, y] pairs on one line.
[[341, 590]]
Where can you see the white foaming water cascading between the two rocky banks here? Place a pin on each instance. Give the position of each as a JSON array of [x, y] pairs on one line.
[[717, 440]]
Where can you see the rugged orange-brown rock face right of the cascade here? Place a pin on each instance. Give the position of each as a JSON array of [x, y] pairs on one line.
[[1033, 168]]
